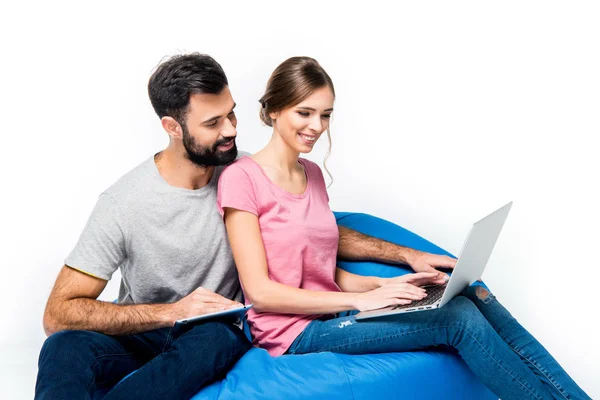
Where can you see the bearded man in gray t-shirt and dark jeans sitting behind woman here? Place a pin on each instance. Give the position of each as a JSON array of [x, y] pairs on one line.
[[159, 224]]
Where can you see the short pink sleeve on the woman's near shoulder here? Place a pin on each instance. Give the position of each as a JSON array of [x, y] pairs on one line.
[[236, 191]]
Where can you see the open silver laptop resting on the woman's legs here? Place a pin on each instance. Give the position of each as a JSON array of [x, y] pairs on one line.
[[471, 262]]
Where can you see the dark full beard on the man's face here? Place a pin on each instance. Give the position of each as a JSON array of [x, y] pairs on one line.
[[207, 156]]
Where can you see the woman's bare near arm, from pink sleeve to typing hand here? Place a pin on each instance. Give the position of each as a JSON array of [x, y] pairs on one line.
[[269, 296]]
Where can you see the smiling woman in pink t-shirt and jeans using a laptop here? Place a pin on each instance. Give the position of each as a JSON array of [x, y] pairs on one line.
[[284, 240]]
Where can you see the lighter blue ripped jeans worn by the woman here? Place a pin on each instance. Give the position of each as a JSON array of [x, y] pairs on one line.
[[499, 351]]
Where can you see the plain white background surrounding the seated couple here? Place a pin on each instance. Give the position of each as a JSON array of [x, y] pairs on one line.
[[445, 111]]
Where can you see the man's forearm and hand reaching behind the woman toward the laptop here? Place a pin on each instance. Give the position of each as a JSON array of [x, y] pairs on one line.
[[354, 246]]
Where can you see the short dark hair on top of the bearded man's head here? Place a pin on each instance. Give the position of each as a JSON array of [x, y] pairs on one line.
[[175, 79]]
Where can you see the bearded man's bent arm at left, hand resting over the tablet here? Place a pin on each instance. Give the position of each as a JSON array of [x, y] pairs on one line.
[[73, 305]]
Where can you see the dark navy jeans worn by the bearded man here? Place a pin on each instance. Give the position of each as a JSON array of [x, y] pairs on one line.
[[170, 365]]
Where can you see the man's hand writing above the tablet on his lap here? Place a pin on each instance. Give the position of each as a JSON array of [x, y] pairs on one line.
[[201, 301]]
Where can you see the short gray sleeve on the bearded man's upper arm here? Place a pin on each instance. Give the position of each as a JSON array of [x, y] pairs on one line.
[[100, 249]]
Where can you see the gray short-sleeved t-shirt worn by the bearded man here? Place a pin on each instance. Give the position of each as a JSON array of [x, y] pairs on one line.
[[167, 241]]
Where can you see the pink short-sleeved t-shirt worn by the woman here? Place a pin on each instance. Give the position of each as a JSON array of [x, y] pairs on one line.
[[300, 236]]
